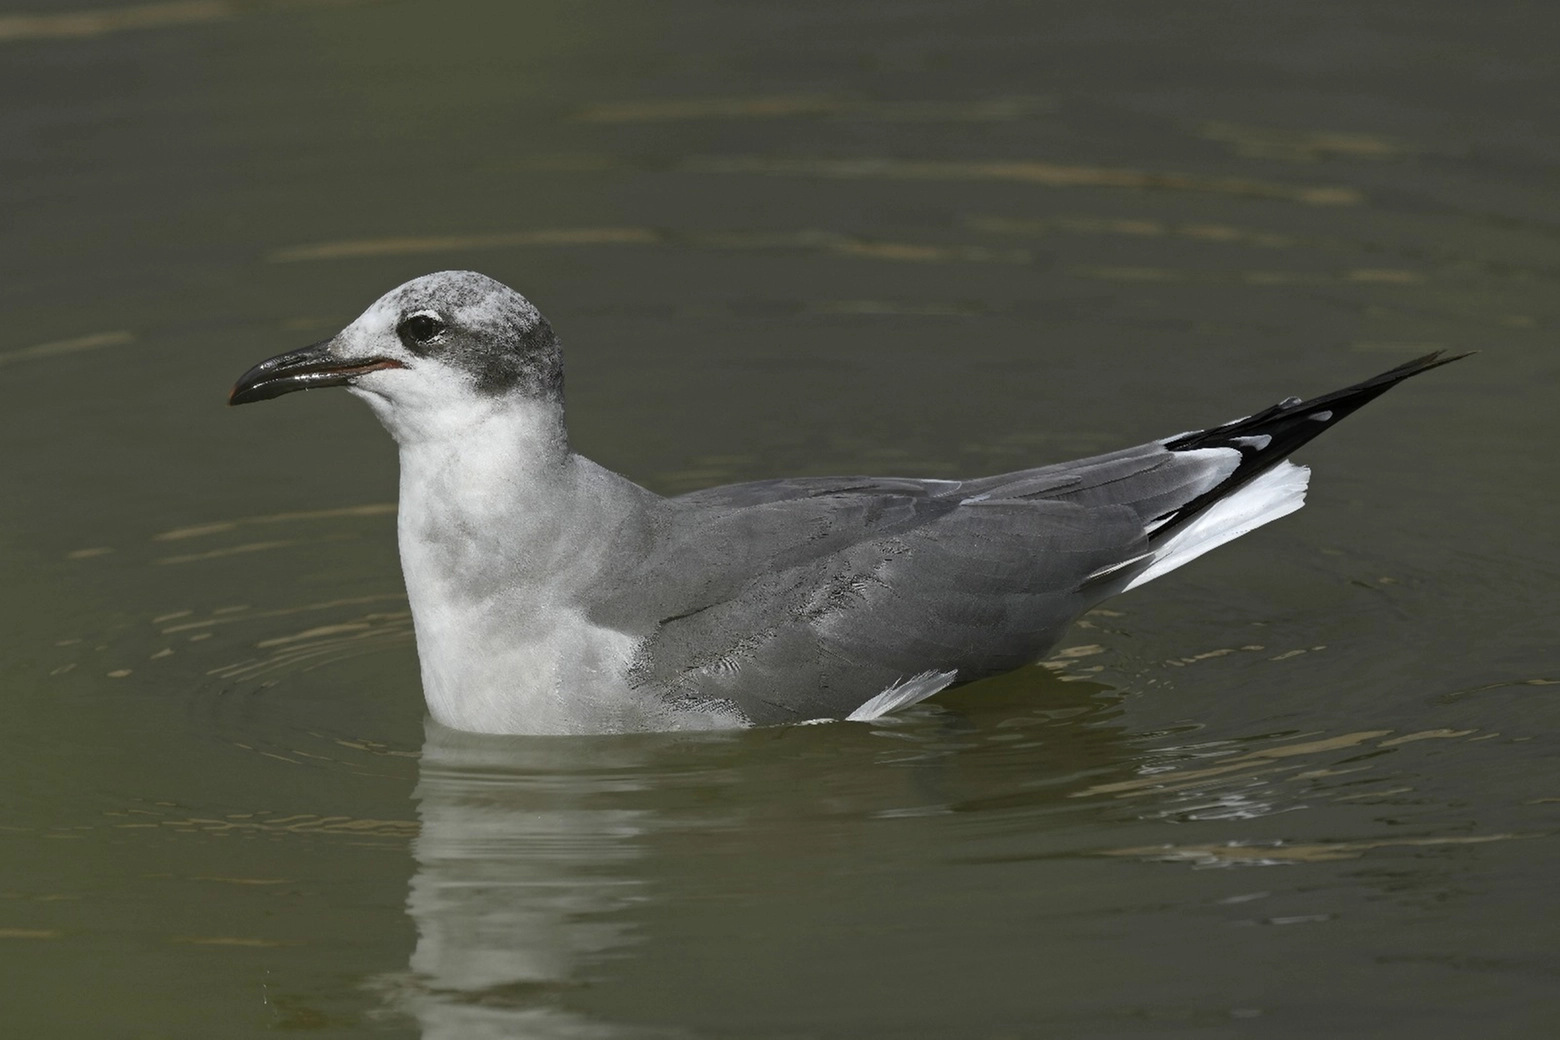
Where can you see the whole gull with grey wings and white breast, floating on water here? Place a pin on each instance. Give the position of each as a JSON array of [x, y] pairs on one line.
[[551, 595]]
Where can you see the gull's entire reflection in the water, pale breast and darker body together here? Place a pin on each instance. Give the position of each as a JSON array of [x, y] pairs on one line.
[[547, 868]]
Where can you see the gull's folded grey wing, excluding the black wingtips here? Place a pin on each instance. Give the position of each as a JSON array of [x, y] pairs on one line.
[[806, 598]]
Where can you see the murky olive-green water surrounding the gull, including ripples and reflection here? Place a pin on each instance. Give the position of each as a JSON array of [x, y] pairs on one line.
[[1303, 788]]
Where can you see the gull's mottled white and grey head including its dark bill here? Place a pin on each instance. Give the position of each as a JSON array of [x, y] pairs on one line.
[[431, 358]]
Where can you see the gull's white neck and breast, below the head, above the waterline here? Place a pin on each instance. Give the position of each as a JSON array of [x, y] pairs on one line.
[[500, 553]]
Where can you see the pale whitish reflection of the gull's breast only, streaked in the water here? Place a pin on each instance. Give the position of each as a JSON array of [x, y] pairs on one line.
[[525, 868]]
